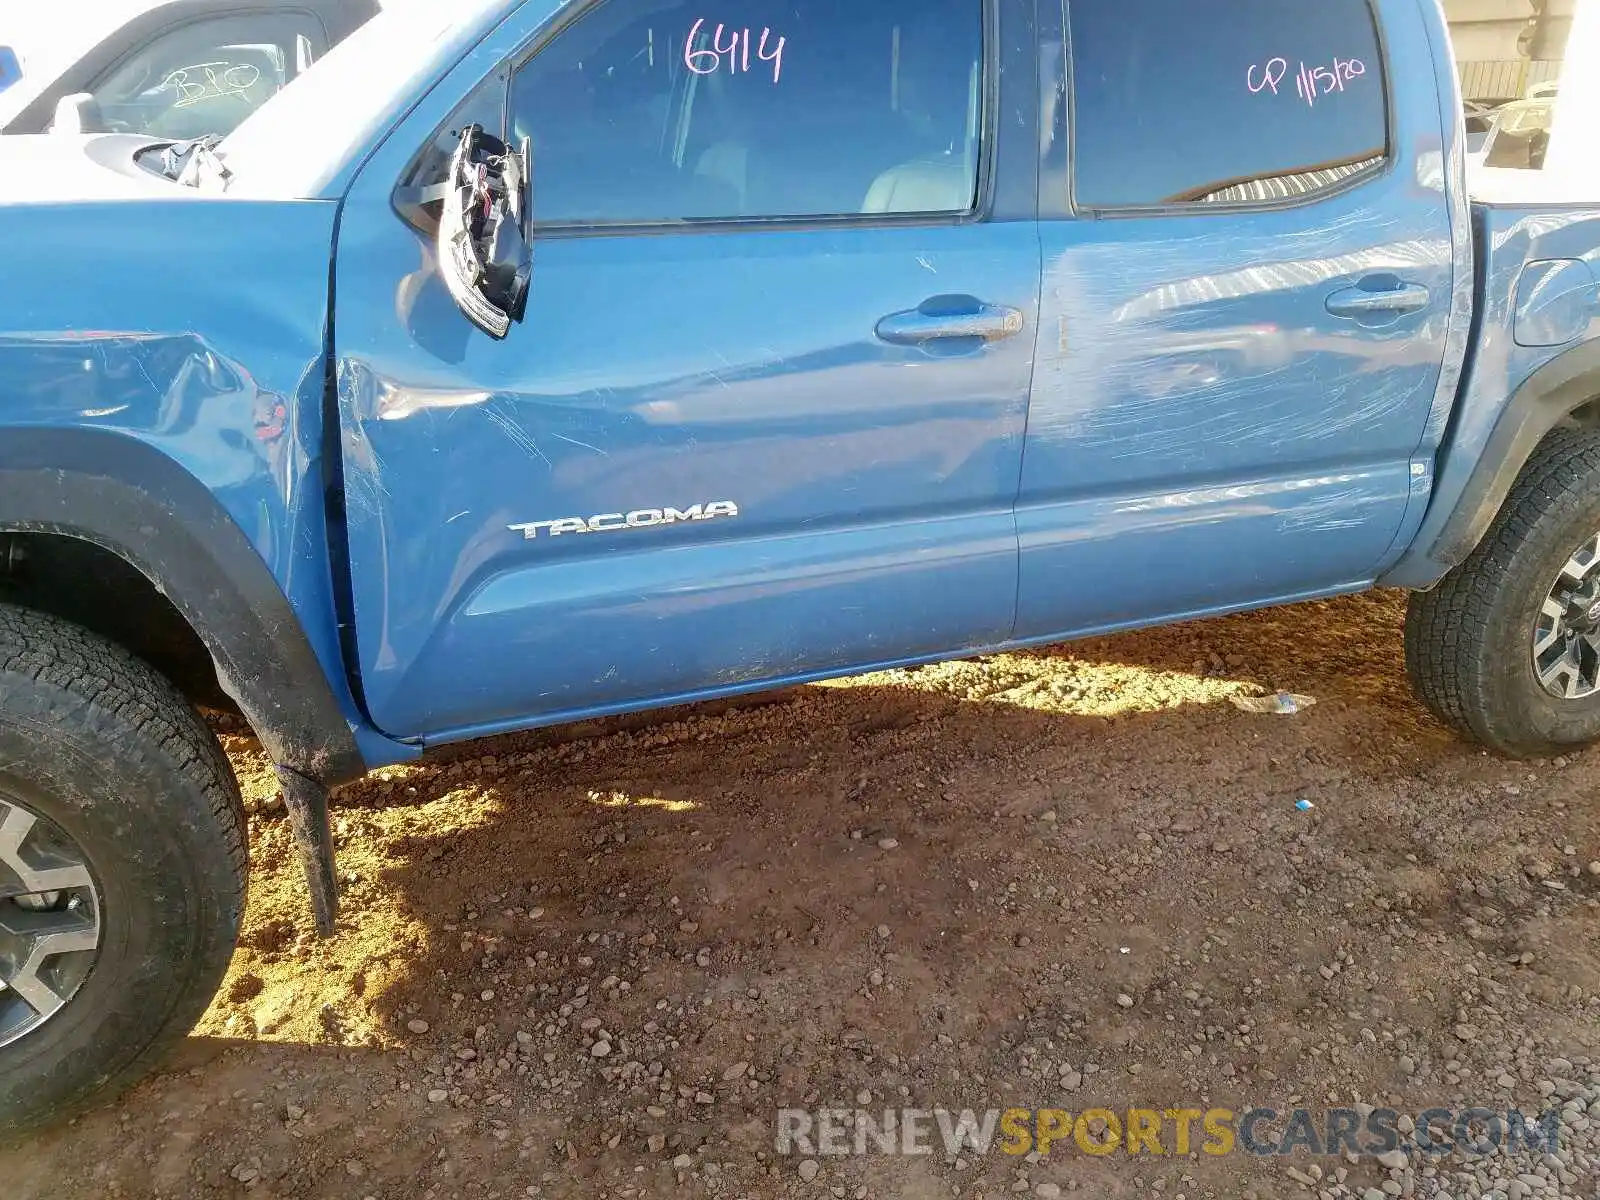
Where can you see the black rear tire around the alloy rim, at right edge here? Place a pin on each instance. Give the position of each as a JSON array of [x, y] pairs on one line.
[[1470, 644]]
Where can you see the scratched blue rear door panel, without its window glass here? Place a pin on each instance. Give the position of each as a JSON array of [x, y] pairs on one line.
[[1220, 420]]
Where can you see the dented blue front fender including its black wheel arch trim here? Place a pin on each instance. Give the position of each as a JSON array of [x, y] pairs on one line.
[[162, 386]]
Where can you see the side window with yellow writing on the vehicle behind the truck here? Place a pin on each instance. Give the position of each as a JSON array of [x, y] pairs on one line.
[[207, 76]]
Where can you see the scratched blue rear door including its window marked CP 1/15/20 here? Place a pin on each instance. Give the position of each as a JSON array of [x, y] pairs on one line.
[[1247, 295]]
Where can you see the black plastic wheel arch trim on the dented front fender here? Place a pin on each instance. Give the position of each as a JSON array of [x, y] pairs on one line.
[[143, 508]]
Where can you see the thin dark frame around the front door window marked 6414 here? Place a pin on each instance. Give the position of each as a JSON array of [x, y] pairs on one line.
[[988, 158]]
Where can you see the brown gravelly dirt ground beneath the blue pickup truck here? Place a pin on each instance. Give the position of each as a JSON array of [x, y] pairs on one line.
[[596, 962]]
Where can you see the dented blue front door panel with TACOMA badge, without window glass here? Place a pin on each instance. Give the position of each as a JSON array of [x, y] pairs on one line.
[[705, 462]]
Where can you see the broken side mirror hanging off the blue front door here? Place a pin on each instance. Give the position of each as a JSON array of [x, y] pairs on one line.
[[486, 233]]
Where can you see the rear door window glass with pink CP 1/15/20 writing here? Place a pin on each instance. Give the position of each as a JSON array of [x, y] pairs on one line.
[[1178, 106]]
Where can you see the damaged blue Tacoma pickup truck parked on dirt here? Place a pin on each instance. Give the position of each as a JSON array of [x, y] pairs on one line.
[[543, 361]]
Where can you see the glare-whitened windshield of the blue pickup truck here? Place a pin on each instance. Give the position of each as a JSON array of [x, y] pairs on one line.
[[298, 143]]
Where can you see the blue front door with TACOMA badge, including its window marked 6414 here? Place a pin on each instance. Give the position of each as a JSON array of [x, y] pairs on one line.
[[764, 418]]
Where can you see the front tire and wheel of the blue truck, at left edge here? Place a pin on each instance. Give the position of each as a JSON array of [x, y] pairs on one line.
[[114, 766]]
